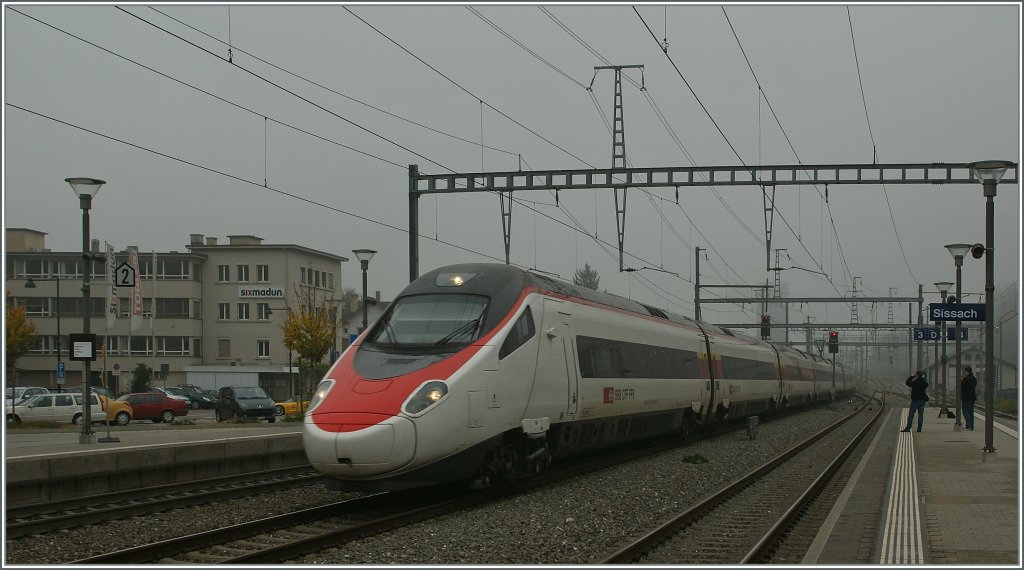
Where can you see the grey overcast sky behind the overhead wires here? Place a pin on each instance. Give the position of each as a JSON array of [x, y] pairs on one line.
[[146, 99]]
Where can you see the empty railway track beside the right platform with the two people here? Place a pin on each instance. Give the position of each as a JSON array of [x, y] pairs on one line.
[[746, 521]]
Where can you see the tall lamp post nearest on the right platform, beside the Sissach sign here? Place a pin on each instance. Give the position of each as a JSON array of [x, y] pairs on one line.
[[990, 173]]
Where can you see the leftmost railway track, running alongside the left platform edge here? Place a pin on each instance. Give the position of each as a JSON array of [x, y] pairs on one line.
[[71, 513]]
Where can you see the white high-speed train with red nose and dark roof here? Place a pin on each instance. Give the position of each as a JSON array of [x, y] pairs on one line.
[[487, 373]]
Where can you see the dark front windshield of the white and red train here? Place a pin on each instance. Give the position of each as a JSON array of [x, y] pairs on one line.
[[432, 320]]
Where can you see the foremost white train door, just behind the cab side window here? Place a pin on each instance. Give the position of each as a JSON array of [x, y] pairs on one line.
[[556, 389]]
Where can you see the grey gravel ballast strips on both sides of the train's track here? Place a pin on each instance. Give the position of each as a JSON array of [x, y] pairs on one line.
[[570, 523]]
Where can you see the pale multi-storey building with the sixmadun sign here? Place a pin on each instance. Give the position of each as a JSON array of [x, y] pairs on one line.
[[210, 317]]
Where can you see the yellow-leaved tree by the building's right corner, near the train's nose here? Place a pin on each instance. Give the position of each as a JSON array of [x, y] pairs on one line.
[[311, 328]]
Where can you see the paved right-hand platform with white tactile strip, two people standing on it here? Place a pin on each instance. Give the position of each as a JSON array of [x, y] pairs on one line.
[[929, 498]]
